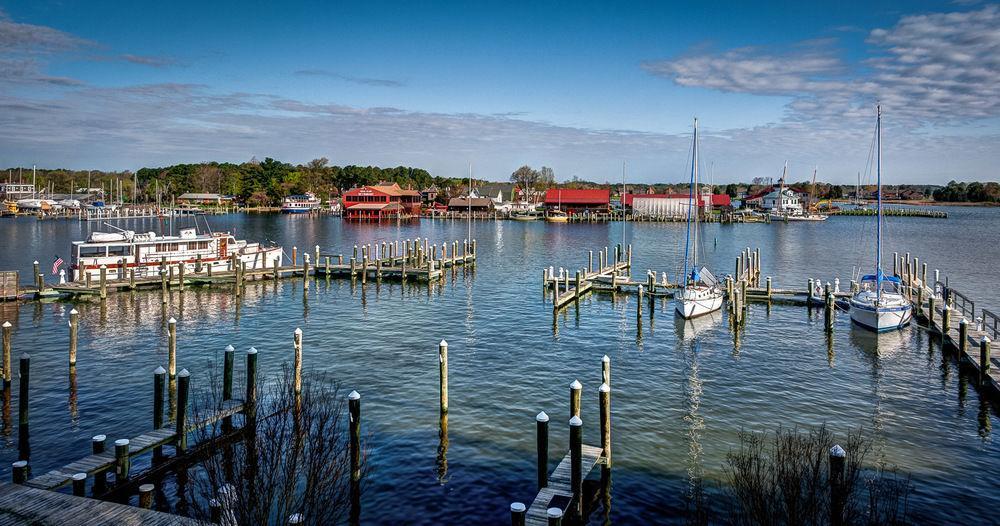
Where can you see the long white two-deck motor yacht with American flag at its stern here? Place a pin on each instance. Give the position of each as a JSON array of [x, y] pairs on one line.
[[124, 250]]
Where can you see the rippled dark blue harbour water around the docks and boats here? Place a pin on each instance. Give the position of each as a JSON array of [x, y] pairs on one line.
[[681, 393]]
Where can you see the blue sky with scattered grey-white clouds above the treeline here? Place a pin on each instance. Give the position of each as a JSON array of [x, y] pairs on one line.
[[578, 86]]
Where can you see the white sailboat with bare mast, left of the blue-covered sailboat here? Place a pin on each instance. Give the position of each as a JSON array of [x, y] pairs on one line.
[[701, 293]]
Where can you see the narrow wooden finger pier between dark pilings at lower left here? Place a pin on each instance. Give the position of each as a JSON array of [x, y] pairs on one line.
[[106, 461]]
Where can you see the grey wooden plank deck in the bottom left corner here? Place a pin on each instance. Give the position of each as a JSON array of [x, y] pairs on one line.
[[26, 505]]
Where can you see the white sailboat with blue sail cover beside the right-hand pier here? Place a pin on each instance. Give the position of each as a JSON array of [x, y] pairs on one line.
[[879, 305]]
